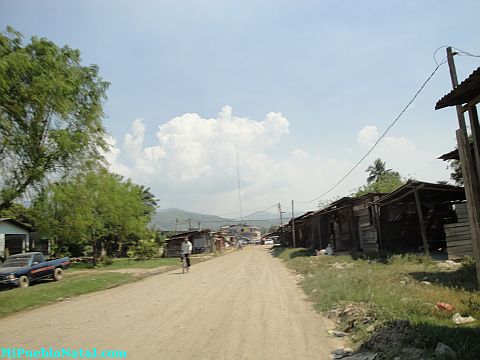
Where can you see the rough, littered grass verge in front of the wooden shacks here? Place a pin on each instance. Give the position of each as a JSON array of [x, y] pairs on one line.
[[390, 289]]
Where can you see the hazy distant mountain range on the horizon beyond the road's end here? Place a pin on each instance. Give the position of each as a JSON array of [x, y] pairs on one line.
[[165, 220]]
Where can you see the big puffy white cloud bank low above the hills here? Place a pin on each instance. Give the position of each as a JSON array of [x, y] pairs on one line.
[[193, 163]]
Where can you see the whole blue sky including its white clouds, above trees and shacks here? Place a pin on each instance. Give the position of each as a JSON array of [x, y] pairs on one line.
[[305, 88]]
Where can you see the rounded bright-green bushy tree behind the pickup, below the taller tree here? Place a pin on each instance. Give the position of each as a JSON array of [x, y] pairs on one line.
[[95, 208]]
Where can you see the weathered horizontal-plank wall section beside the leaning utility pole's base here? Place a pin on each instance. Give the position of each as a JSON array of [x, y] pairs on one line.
[[459, 241]]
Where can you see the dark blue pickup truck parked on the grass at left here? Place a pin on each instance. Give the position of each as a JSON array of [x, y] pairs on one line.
[[22, 269]]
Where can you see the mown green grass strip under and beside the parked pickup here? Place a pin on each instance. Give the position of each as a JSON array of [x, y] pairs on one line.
[[48, 291]]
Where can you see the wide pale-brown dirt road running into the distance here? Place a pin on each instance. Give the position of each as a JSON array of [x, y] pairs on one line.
[[244, 305]]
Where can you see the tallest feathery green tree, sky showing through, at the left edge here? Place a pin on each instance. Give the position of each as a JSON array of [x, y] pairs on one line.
[[51, 110]]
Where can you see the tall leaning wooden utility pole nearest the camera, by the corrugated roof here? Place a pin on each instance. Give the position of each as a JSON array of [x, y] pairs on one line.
[[471, 178]]
